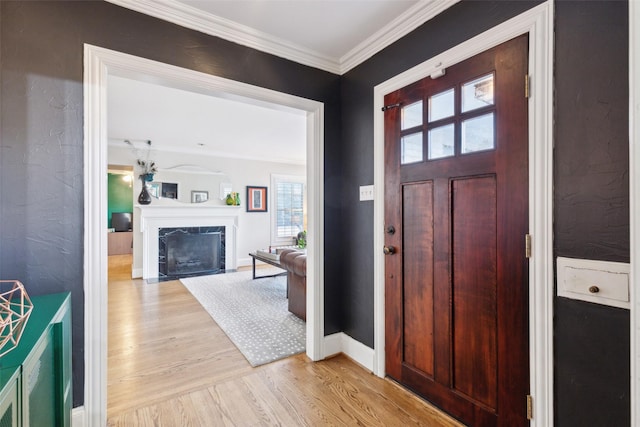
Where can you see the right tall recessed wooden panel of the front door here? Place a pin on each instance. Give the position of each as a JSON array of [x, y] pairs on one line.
[[474, 288]]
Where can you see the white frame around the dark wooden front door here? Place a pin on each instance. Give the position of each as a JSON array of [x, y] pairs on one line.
[[538, 22]]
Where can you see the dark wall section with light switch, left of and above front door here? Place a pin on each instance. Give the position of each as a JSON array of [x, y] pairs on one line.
[[457, 24]]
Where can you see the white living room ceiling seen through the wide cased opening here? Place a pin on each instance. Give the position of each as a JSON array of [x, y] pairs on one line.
[[177, 120]]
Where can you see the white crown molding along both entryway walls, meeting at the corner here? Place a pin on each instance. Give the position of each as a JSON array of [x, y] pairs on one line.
[[195, 19]]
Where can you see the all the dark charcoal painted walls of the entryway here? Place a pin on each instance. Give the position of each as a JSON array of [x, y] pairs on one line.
[[41, 160]]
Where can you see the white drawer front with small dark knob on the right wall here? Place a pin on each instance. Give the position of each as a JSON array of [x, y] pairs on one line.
[[601, 282]]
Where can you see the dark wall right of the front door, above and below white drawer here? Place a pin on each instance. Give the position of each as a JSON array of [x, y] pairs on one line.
[[591, 206]]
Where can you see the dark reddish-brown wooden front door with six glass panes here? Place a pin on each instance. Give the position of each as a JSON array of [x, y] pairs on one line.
[[456, 217]]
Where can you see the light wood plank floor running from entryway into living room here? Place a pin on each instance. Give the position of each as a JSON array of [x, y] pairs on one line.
[[169, 364]]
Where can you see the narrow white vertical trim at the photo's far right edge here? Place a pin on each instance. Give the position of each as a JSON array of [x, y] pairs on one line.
[[634, 203]]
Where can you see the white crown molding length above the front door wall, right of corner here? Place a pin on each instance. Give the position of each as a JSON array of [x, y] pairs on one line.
[[393, 31]]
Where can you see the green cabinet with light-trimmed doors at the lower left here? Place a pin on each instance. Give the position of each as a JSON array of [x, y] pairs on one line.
[[36, 376]]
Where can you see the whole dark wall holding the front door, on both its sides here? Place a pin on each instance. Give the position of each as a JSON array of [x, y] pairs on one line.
[[591, 198]]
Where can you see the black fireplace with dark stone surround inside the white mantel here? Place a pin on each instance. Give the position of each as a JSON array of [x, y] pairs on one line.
[[190, 251]]
